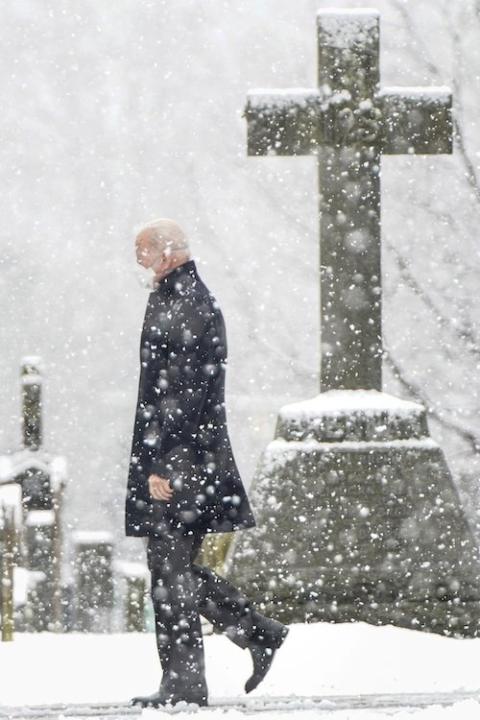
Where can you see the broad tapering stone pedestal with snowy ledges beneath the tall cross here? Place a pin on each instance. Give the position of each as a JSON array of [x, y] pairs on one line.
[[358, 518]]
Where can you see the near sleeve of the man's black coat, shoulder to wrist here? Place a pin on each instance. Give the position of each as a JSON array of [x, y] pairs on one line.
[[194, 356]]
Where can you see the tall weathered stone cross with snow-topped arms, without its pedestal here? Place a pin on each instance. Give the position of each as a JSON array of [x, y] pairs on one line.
[[348, 122]]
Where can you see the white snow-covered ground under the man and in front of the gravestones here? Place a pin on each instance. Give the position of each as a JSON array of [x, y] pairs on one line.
[[318, 659]]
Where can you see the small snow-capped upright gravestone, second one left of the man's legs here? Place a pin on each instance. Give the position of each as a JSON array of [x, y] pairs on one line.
[[93, 580]]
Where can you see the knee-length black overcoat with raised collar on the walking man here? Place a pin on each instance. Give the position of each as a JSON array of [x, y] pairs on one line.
[[180, 428]]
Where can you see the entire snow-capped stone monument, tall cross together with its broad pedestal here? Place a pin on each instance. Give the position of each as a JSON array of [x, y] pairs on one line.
[[358, 515]]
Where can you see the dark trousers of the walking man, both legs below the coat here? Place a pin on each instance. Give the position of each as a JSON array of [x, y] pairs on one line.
[[181, 591]]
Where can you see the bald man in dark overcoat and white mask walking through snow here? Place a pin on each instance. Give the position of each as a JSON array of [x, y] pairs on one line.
[[183, 481]]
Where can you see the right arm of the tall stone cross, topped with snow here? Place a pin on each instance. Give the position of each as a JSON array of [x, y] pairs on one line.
[[415, 120]]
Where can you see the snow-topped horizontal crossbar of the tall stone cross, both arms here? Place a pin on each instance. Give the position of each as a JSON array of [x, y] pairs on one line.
[[299, 121]]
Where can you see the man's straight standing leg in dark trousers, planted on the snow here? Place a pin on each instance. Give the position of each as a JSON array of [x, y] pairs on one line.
[[177, 623]]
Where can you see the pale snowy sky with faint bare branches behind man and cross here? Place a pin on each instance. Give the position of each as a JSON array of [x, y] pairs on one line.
[[114, 113]]
